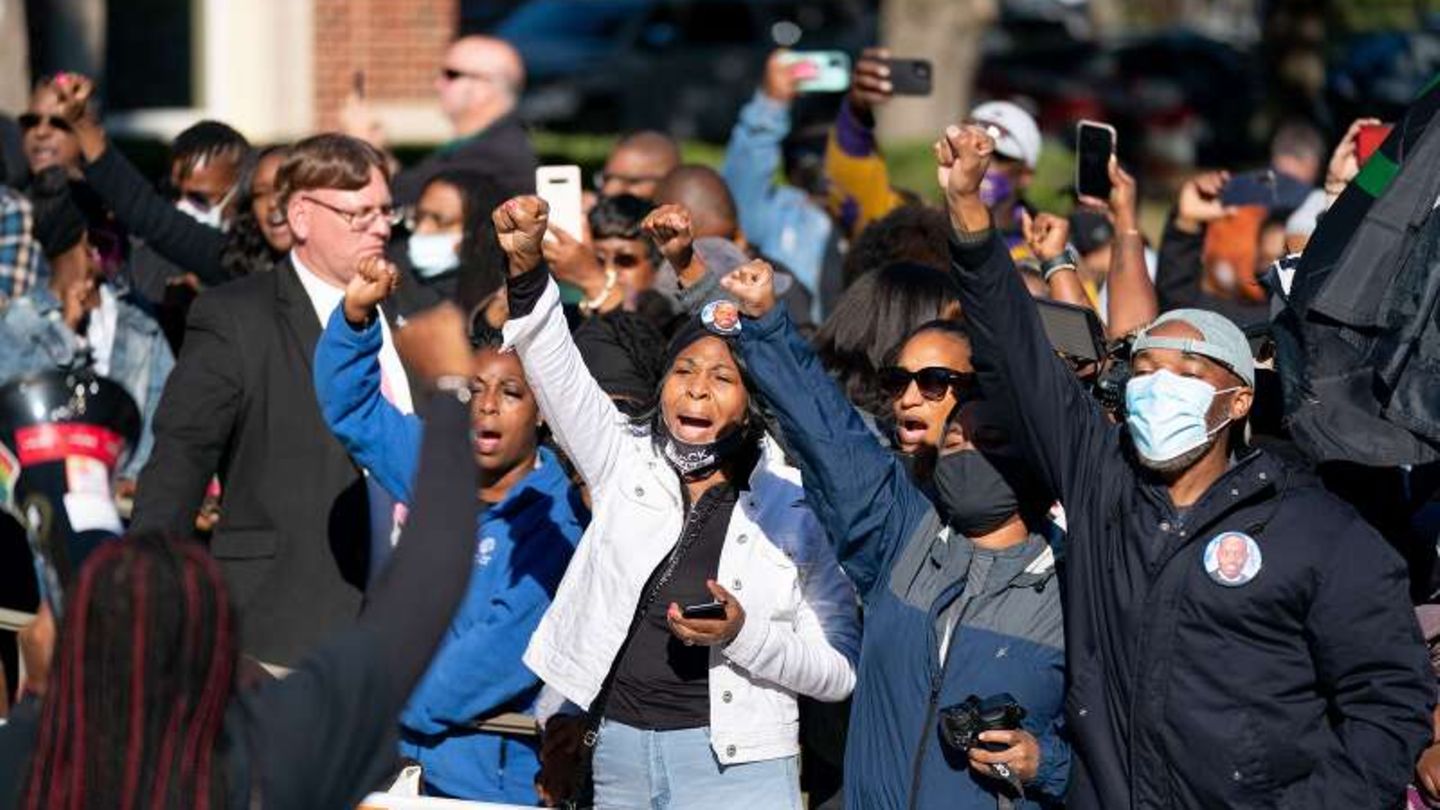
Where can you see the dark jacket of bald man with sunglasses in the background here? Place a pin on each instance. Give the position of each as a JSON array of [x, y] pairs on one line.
[[500, 152]]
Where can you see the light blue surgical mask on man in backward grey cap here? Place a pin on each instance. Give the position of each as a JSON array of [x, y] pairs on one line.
[[1167, 414]]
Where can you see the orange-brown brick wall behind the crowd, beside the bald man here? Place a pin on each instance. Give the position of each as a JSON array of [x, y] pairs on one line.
[[398, 44]]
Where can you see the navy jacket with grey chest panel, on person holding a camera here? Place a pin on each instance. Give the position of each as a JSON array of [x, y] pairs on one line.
[[909, 569]]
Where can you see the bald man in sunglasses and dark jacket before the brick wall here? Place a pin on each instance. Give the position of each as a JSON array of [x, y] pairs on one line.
[[479, 87]]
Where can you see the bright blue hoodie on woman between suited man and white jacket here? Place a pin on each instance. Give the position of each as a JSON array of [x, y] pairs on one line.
[[523, 547]]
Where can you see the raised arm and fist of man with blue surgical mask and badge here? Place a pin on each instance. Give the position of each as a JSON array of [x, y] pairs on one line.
[[1063, 426]]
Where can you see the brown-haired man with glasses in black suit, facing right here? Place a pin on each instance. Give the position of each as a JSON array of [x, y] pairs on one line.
[[299, 517]]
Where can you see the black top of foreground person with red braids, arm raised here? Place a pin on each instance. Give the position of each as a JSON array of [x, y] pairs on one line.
[[326, 736]]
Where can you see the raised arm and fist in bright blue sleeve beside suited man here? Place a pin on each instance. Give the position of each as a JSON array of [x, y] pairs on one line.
[[348, 384]]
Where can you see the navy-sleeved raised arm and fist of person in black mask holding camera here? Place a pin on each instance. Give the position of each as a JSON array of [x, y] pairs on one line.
[[859, 491]]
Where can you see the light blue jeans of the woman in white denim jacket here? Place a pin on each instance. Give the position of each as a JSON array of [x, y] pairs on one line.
[[676, 770]]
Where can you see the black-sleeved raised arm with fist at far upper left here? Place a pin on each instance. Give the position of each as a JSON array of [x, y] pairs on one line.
[[194, 247]]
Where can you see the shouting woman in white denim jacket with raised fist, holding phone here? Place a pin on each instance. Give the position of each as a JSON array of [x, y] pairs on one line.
[[678, 734]]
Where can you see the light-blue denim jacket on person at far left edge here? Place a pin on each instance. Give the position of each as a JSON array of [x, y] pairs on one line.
[[37, 339]]
